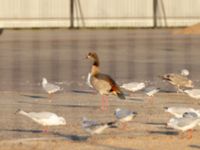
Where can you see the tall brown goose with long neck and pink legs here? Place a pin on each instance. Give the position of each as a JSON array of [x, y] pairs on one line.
[[103, 83]]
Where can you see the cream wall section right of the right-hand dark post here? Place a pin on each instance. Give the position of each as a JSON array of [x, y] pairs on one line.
[[178, 12]]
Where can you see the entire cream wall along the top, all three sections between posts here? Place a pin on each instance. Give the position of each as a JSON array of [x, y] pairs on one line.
[[98, 13]]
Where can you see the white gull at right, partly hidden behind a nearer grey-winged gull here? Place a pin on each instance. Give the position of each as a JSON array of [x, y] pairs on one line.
[[179, 111]]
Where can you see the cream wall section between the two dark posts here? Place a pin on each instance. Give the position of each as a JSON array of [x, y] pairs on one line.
[[114, 13]]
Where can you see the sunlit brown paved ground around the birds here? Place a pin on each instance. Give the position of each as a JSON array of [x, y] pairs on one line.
[[59, 55]]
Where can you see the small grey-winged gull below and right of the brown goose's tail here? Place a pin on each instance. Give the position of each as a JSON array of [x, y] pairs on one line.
[[124, 115]]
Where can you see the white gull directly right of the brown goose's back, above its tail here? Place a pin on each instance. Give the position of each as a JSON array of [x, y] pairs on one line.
[[133, 86]]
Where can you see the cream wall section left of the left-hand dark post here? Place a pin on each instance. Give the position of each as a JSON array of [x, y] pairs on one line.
[[34, 13]]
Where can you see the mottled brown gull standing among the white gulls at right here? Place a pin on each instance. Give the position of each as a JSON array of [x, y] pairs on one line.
[[179, 81]]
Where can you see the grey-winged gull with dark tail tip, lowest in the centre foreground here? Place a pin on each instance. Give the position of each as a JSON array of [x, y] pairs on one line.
[[93, 127]]
